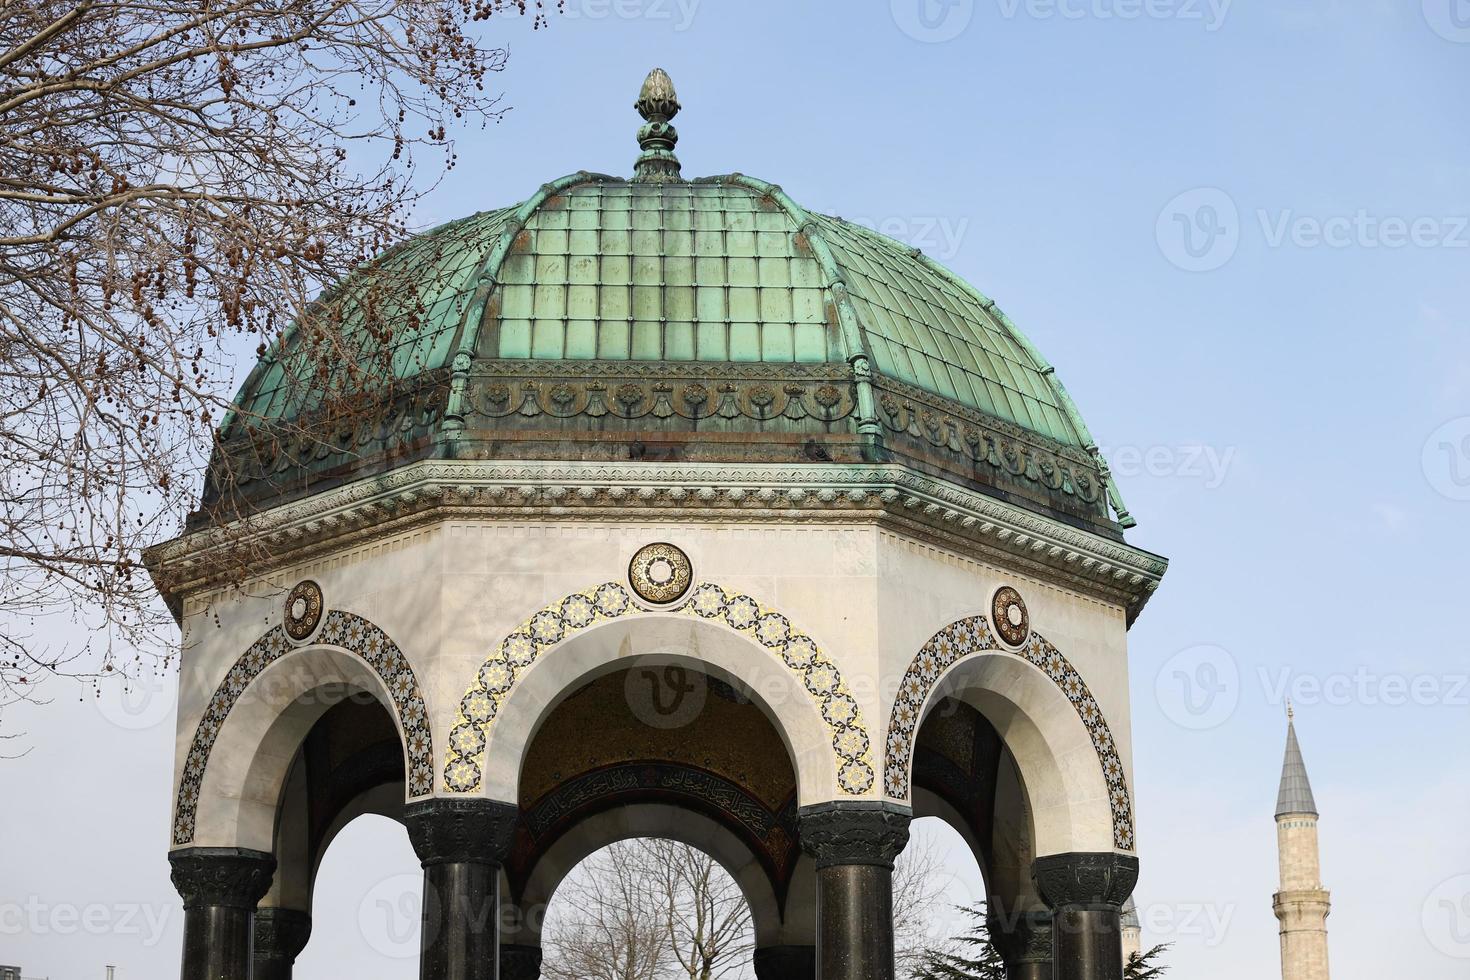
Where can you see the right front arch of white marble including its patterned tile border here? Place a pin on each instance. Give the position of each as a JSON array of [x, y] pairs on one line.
[[1049, 719]]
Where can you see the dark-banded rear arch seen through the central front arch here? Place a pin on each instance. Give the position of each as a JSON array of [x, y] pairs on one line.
[[671, 824]]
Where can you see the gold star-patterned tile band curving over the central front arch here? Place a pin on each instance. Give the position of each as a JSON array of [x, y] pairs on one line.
[[464, 766]]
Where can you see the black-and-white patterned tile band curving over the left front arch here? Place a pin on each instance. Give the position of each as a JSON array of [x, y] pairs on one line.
[[342, 630]]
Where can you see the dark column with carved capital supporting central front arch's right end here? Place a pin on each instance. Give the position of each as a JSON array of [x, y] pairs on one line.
[[855, 846]]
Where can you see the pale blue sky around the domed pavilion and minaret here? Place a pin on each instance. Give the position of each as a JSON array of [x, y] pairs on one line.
[[1241, 236]]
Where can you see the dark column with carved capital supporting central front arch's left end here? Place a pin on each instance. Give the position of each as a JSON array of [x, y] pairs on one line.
[[461, 846]]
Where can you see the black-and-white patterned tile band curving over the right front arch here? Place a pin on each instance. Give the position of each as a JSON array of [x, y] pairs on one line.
[[971, 637]]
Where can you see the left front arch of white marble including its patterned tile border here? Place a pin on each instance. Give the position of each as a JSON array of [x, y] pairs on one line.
[[349, 653]]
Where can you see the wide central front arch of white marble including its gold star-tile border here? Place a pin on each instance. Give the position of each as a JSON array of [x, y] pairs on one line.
[[725, 628]]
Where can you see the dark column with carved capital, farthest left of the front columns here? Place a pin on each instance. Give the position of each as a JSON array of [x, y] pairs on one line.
[[220, 888]]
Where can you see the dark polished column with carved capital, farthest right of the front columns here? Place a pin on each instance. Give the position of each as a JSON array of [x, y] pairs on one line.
[[1087, 893]]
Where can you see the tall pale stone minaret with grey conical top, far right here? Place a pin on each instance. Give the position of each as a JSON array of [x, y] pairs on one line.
[[1302, 904]]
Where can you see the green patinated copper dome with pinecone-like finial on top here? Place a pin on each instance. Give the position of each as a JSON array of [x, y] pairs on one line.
[[680, 314]]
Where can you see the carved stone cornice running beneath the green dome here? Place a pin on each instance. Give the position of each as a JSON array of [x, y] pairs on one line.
[[892, 496]]
